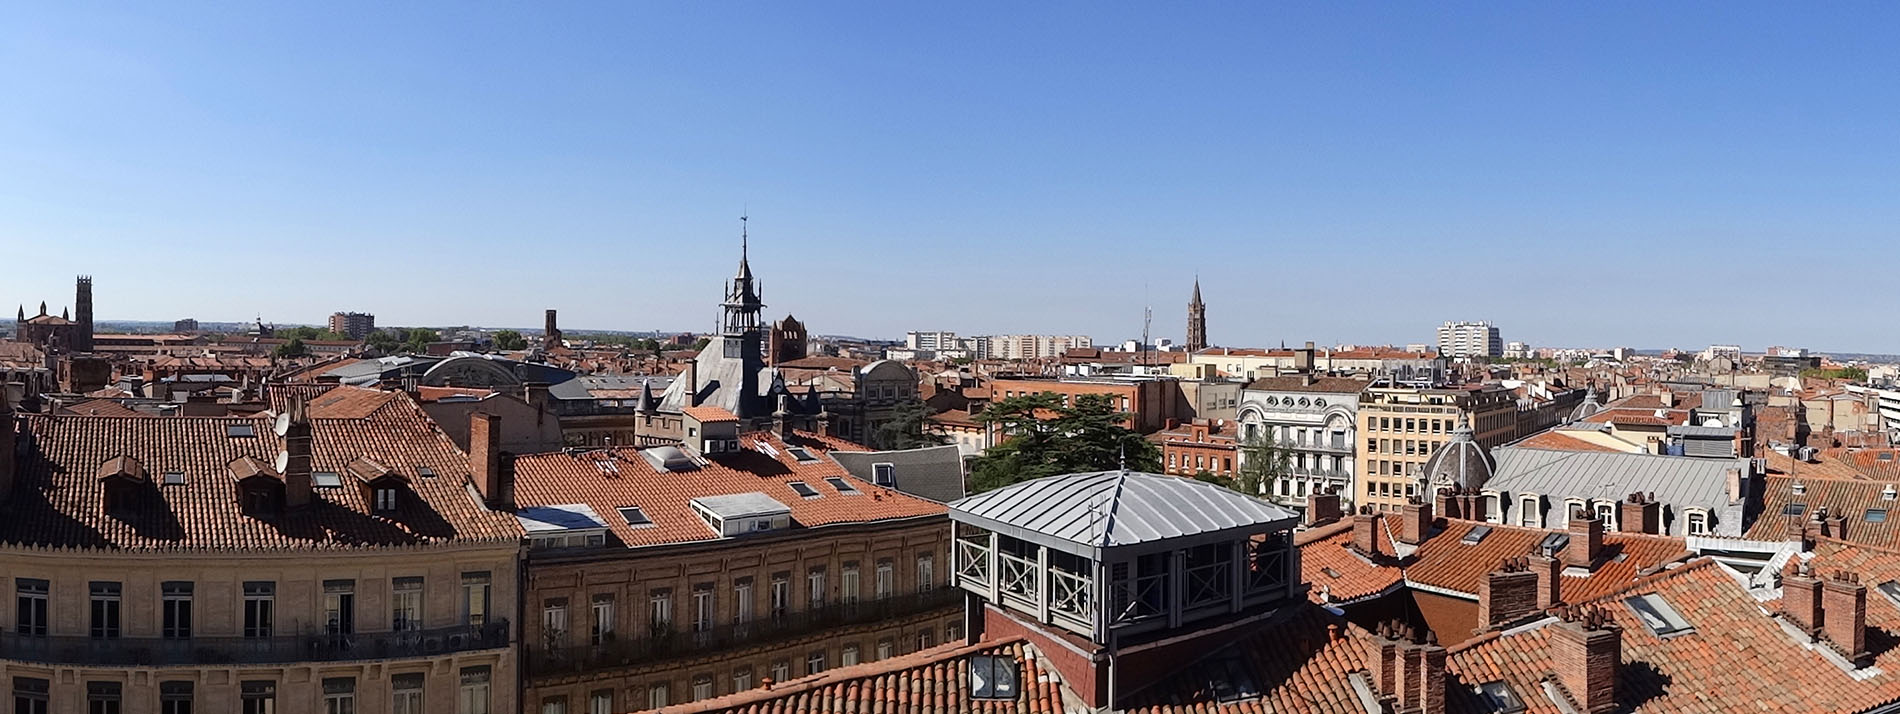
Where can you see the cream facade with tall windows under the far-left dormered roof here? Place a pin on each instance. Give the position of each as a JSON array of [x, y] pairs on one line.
[[442, 662]]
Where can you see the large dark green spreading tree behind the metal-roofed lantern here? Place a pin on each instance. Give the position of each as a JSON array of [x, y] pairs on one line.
[[1046, 438]]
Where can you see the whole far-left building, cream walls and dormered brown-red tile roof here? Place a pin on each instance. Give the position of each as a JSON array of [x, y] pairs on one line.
[[280, 565]]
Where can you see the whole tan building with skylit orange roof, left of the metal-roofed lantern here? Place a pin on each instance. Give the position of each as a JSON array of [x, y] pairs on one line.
[[672, 574]]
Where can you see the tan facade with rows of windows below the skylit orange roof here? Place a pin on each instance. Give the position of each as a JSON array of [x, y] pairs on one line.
[[731, 647]]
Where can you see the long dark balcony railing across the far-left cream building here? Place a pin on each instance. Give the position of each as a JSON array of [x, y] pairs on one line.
[[278, 650]]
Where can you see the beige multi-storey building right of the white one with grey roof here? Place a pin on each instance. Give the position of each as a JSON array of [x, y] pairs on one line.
[[1401, 428]]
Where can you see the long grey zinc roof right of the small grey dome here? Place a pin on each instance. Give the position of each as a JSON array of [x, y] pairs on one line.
[[1679, 481]]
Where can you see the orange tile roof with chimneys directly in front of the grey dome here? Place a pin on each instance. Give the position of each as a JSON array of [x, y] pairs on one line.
[[1445, 561]]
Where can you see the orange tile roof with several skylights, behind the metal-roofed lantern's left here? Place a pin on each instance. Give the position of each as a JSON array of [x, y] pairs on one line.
[[611, 479]]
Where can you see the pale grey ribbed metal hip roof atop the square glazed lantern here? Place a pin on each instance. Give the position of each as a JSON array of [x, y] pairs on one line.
[[1105, 510]]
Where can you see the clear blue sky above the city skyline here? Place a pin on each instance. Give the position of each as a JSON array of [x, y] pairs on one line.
[[1580, 174]]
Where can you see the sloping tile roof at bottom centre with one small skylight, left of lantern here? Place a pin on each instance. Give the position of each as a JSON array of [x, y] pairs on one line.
[[932, 681]]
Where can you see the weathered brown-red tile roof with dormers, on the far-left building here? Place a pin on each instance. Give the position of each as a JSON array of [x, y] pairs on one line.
[[62, 502]]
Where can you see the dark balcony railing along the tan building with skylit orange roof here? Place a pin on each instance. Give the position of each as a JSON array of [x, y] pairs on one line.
[[622, 650]]
